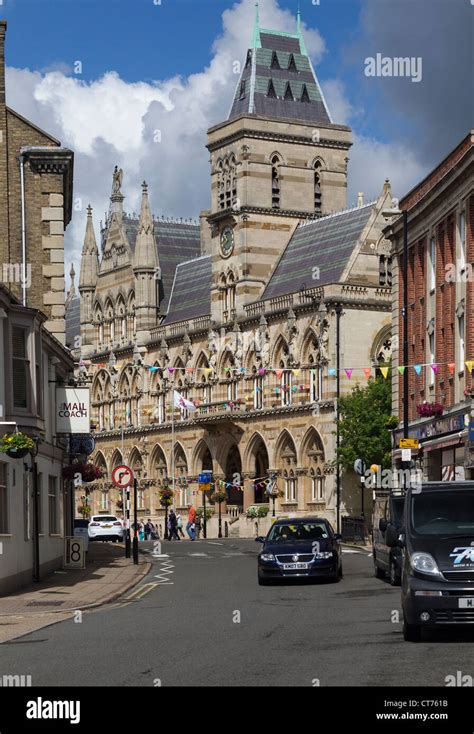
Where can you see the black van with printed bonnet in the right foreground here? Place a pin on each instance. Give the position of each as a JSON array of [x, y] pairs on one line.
[[438, 566]]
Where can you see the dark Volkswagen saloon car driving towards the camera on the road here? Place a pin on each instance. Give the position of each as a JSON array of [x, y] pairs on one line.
[[300, 548]]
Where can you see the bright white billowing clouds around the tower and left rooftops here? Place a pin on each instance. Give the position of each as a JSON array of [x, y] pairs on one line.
[[157, 131]]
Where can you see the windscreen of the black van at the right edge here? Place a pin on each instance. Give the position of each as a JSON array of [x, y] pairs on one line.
[[443, 512]]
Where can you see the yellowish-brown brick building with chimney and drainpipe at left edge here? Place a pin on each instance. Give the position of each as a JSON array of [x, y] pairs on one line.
[[35, 209]]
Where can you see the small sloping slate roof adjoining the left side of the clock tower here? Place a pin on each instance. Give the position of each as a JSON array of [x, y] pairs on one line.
[[191, 292]]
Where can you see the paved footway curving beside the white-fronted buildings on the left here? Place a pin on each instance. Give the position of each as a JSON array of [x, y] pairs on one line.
[[107, 576]]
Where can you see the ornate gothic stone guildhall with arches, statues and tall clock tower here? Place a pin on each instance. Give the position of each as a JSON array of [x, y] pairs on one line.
[[239, 313]]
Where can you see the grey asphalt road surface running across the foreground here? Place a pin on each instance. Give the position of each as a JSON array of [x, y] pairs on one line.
[[199, 618]]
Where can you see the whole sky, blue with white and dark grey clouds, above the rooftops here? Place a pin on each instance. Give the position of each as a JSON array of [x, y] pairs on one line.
[[137, 83]]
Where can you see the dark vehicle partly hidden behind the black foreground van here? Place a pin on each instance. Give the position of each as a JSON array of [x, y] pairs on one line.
[[388, 511]]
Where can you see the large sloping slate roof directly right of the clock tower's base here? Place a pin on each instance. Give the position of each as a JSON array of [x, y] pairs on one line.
[[326, 243]]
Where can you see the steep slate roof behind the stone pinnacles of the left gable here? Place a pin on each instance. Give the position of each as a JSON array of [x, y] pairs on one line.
[[176, 242]]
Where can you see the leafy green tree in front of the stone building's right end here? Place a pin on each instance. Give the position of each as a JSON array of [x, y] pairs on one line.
[[365, 421]]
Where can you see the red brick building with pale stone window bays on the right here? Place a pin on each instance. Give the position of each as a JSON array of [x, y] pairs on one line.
[[440, 314]]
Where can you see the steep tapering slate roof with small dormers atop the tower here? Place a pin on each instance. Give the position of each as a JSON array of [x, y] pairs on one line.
[[268, 63]]
